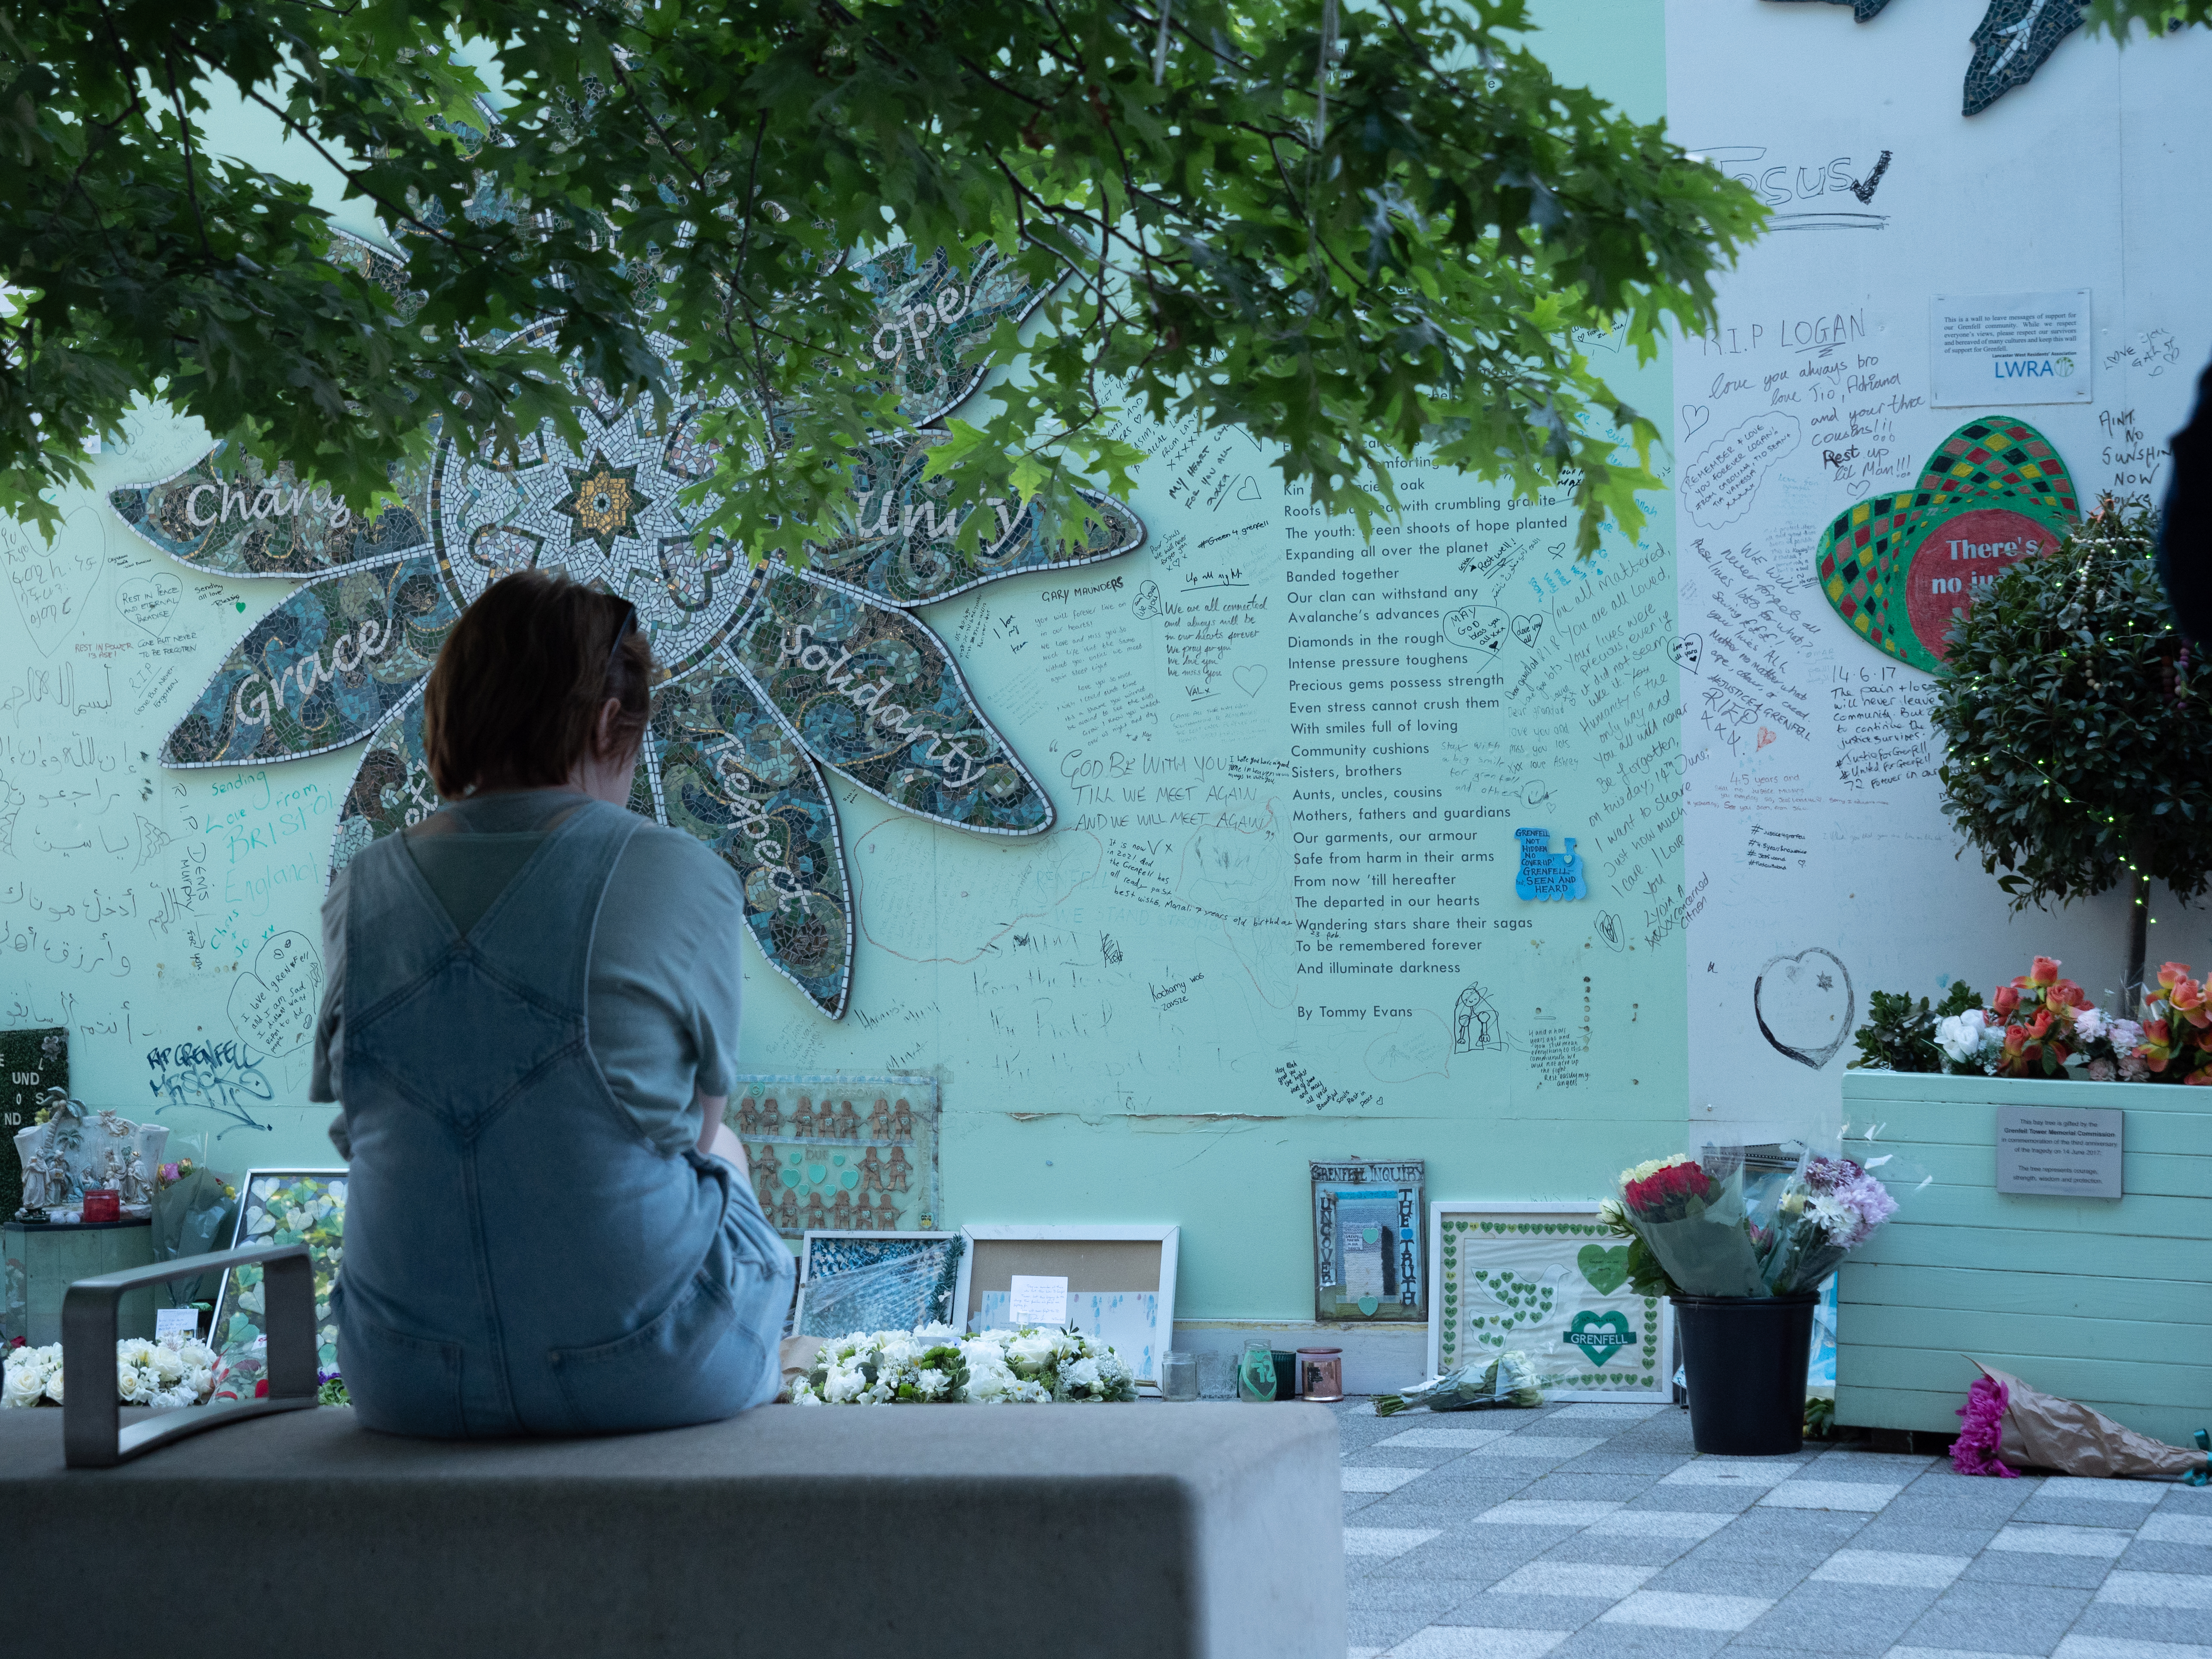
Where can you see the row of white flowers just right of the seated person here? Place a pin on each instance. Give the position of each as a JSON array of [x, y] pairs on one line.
[[941, 1366]]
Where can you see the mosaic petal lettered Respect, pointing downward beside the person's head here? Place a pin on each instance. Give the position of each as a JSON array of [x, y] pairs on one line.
[[731, 773]]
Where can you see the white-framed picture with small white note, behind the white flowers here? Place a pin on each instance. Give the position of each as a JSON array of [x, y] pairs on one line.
[[1116, 1282]]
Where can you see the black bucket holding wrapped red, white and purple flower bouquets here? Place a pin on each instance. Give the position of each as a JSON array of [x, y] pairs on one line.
[[1742, 1251]]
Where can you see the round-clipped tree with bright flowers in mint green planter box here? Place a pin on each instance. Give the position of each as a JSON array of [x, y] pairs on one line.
[[2080, 760]]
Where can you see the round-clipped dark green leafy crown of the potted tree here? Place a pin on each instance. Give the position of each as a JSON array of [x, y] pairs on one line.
[[2078, 742]]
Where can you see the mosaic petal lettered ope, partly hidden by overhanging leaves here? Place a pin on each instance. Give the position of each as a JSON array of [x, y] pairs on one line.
[[935, 322]]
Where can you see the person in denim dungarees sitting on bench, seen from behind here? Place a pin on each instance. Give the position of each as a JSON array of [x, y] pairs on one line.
[[530, 1021]]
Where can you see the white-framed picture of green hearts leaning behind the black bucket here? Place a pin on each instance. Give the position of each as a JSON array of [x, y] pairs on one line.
[[1552, 1282]]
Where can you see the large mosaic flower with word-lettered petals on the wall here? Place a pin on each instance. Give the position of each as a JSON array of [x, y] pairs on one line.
[[780, 674]]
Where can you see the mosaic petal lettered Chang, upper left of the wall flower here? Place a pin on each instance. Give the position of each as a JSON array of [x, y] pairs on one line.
[[242, 521]]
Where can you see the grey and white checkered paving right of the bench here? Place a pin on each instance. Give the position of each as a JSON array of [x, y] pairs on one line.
[[1592, 1532]]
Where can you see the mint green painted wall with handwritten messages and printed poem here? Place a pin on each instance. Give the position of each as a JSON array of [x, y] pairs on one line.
[[1131, 1019]]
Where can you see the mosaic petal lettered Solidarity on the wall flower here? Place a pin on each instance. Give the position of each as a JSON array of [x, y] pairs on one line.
[[877, 698]]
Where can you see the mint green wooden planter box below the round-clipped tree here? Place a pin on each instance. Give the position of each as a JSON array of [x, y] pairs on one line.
[[2094, 1300]]
